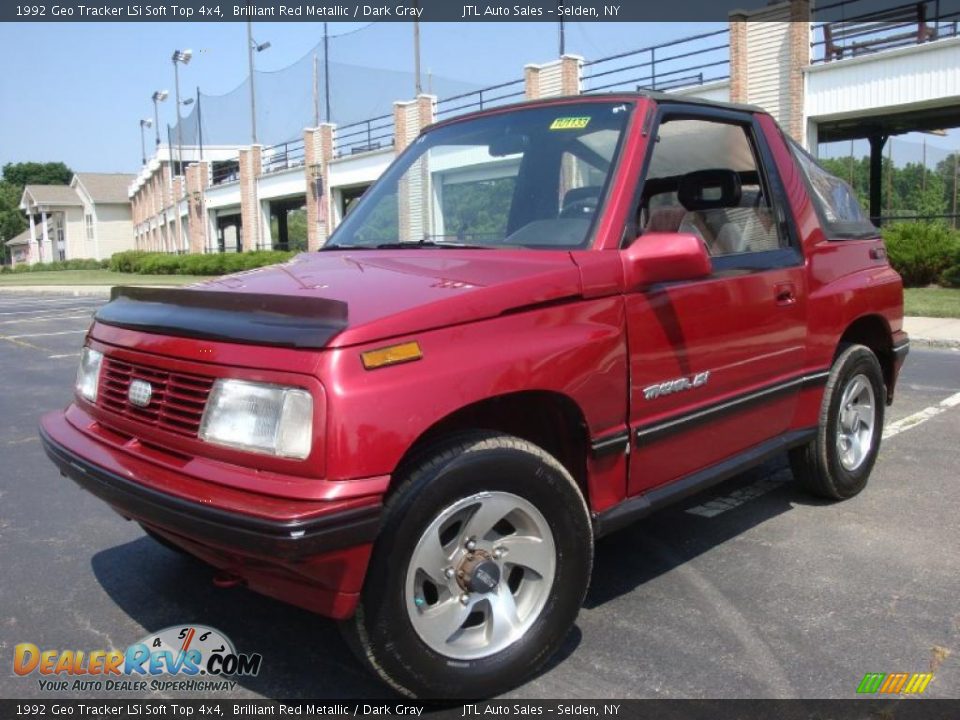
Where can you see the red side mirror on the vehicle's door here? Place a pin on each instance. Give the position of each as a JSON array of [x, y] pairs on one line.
[[665, 257]]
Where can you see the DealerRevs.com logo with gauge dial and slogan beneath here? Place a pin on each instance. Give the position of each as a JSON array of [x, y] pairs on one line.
[[181, 657]]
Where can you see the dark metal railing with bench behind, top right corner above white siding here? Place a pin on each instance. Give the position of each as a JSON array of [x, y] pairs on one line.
[[876, 30]]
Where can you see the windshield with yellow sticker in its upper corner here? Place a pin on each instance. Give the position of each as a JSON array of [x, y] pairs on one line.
[[527, 178]]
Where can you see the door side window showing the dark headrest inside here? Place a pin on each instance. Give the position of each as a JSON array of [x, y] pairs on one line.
[[704, 178]]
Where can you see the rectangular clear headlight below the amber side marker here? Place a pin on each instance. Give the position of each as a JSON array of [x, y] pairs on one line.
[[262, 418]]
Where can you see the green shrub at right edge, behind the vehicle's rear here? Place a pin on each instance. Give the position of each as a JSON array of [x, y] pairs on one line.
[[920, 251]]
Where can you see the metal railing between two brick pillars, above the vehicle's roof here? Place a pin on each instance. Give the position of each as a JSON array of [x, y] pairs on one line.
[[693, 60]]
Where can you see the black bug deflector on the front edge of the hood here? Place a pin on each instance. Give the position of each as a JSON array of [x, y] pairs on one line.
[[280, 320]]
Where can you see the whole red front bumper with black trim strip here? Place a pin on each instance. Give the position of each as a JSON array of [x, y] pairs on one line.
[[310, 553]]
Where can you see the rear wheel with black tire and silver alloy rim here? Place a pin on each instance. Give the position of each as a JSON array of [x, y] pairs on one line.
[[837, 464]]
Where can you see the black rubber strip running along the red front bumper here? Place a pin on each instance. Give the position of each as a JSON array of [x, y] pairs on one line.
[[284, 540]]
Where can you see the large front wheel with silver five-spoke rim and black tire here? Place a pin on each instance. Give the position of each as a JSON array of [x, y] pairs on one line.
[[479, 571]]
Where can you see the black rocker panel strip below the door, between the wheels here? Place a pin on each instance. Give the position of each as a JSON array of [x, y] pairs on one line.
[[637, 507]]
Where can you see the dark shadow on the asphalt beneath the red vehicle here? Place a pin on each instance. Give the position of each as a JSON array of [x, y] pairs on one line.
[[304, 654]]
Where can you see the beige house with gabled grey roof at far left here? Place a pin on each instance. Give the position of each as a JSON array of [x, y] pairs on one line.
[[89, 218]]
